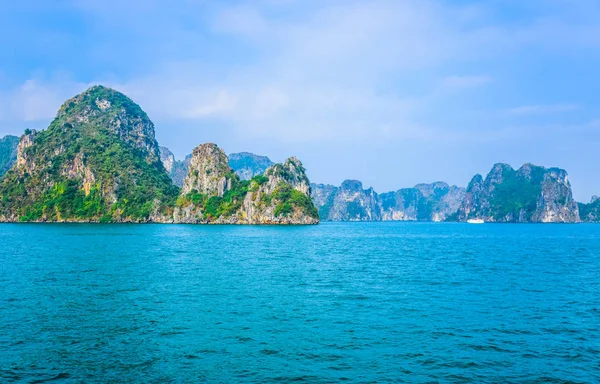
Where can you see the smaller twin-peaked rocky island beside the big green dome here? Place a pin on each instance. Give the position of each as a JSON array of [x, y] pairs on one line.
[[213, 193]]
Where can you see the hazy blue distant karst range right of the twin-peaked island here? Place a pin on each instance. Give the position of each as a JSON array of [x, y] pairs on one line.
[[531, 194]]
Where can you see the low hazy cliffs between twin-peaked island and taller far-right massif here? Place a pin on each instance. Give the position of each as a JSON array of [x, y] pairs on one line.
[[350, 202]]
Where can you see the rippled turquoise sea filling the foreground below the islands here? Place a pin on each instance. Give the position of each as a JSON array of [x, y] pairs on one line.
[[363, 302]]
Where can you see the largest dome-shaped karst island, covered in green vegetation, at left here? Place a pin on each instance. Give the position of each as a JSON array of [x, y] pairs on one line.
[[97, 161]]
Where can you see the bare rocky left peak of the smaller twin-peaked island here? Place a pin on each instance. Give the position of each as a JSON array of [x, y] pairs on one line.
[[209, 172]]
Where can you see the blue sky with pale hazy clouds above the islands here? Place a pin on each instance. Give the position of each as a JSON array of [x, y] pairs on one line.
[[389, 92]]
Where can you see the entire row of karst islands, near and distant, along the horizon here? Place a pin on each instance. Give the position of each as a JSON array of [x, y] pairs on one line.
[[99, 161]]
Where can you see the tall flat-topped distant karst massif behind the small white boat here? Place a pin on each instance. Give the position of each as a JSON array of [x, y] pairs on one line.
[[529, 194]]
